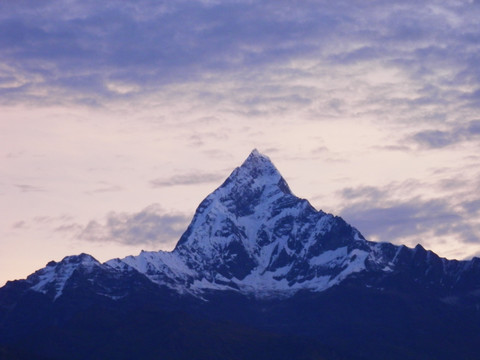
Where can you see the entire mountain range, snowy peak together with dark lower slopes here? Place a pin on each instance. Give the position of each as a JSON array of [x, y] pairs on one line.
[[258, 271]]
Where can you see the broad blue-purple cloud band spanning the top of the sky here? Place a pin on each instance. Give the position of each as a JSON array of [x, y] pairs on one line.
[[96, 52]]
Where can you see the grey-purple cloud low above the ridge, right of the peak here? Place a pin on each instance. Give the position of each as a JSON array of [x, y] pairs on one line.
[[396, 213]]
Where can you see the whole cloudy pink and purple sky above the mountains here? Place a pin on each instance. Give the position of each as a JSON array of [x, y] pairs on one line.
[[118, 118]]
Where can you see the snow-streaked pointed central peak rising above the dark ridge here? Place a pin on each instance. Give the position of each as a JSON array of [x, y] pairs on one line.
[[253, 235]]
